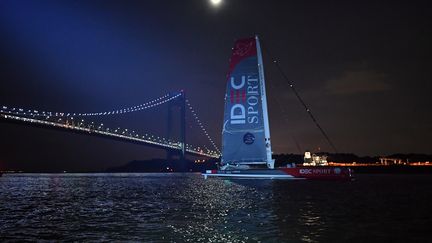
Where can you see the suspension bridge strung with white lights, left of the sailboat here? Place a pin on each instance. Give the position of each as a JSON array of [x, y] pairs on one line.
[[74, 122]]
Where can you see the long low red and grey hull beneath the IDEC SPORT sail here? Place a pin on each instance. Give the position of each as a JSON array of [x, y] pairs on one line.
[[299, 173]]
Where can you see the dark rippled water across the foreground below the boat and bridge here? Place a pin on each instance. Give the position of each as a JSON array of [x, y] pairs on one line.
[[185, 207]]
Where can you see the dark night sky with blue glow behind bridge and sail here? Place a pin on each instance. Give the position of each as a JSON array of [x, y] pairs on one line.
[[364, 68]]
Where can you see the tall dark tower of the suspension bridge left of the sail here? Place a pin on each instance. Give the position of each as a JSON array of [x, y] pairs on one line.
[[177, 104]]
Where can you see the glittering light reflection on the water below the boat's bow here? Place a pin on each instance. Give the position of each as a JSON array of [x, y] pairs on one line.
[[217, 210]]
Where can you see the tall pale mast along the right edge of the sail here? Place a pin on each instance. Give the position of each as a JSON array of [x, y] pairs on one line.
[[270, 161]]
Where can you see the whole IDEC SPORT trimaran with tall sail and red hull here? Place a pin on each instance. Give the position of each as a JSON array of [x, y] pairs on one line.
[[246, 144]]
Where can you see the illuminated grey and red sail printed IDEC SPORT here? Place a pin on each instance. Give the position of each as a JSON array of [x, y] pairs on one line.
[[246, 133]]
